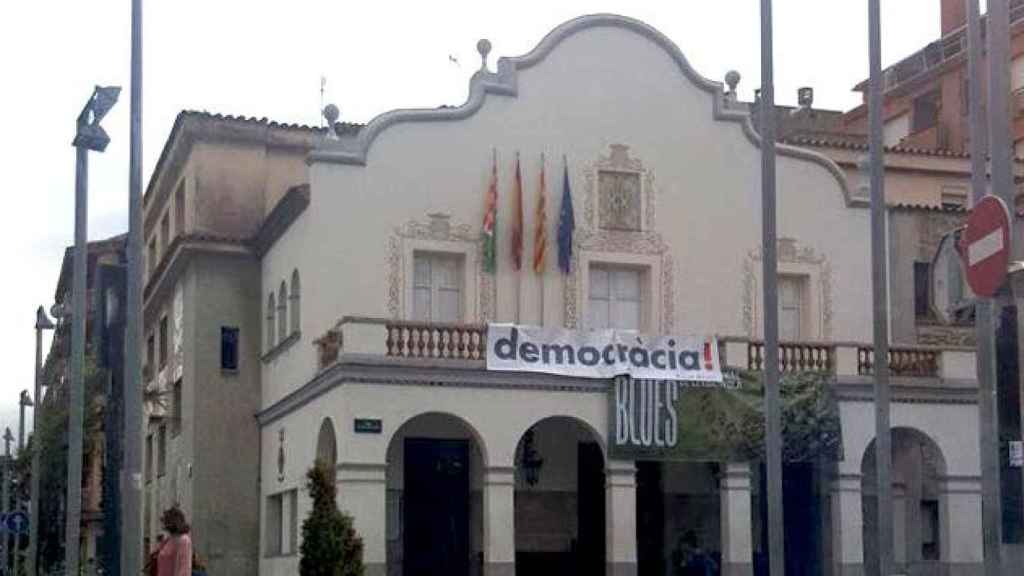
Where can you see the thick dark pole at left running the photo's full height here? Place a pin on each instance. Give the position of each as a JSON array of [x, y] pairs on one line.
[[132, 476]]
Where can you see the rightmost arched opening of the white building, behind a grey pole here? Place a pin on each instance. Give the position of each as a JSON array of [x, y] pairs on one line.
[[918, 469]]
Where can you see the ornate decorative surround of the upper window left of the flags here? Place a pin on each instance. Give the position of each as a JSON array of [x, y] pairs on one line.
[[439, 227]]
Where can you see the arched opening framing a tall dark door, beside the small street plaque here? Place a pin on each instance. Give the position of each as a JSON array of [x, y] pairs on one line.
[[435, 522]]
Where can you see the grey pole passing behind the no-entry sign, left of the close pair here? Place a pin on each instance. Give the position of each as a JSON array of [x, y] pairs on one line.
[[986, 335]]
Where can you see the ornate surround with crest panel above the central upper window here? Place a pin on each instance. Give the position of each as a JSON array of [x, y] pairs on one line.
[[618, 228]]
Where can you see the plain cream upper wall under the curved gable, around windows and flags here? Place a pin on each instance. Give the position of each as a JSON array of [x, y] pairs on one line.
[[599, 88]]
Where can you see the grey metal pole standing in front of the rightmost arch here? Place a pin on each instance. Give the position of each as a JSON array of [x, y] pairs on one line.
[[880, 292]]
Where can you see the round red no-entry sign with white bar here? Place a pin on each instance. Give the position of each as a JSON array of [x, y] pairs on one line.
[[986, 246]]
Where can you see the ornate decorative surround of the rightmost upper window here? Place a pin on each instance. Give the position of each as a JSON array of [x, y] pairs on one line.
[[788, 251]]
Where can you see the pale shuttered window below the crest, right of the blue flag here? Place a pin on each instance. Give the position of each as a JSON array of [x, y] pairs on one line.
[[616, 299]]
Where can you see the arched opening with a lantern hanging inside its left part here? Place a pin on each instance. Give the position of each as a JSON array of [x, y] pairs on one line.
[[560, 500]]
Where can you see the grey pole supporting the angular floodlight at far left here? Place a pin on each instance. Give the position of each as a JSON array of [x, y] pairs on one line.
[[78, 321]]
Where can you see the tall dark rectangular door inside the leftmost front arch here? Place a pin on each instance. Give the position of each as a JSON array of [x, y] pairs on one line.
[[437, 511]]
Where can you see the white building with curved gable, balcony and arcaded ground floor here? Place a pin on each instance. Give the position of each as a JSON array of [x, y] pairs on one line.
[[375, 366]]
